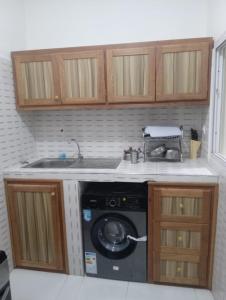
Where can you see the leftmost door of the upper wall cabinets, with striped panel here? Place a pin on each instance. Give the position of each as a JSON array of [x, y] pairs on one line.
[[36, 80]]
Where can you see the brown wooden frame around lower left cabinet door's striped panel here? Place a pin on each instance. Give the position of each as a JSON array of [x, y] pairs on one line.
[[55, 188]]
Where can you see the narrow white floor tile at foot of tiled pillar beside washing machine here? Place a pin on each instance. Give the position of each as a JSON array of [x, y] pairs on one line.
[[71, 288]]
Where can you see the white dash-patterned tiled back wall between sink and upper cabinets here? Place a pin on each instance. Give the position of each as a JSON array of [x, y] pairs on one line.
[[107, 132]]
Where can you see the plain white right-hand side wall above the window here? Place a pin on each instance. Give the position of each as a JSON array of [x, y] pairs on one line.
[[217, 18]]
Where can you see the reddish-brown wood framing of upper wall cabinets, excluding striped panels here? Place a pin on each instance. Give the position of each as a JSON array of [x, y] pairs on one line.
[[106, 99]]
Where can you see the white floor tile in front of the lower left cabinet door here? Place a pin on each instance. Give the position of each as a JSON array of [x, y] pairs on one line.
[[35, 285]]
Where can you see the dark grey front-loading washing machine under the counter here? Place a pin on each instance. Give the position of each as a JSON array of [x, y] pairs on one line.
[[114, 224]]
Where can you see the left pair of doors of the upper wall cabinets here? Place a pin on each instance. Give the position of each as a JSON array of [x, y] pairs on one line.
[[59, 78]]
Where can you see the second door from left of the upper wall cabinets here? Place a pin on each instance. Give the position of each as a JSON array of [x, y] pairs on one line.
[[82, 77]]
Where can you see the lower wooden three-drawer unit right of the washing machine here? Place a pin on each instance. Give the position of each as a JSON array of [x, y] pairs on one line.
[[181, 229]]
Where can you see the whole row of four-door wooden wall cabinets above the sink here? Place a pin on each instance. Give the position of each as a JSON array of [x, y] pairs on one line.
[[137, 74]]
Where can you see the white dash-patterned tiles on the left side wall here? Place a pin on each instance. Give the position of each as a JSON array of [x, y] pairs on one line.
[[16, 140]]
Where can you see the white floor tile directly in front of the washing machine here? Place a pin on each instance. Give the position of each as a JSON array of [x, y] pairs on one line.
[[102, 289]]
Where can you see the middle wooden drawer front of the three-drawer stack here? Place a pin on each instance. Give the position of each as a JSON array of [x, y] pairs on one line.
[[181, 238]]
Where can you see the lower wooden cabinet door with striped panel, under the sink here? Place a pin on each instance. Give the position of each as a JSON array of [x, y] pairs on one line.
[[36, 218]]
